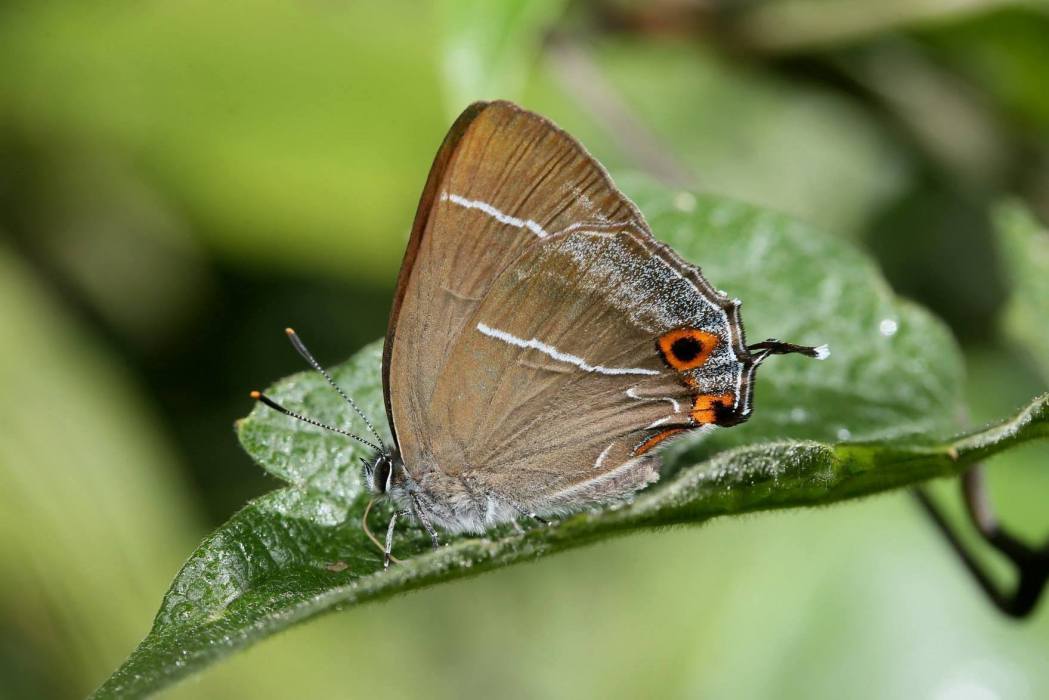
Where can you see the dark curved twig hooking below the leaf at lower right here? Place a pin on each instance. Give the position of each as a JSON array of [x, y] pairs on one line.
[[1032, 564]]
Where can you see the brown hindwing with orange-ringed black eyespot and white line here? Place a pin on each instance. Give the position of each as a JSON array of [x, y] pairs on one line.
[[591, 349]]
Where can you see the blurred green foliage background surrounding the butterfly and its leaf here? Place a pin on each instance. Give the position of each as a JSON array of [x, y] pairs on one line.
[[181, 181]]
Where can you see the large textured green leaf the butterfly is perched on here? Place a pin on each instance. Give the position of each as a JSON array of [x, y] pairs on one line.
[[301, 551]]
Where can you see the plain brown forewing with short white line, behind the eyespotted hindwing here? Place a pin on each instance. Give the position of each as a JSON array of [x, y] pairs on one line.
[[504, 181]]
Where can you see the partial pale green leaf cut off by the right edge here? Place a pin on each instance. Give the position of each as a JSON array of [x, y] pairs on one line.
[[1024, 243]]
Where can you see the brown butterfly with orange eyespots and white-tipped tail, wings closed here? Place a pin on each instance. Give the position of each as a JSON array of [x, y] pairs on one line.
[[542, 343]]
